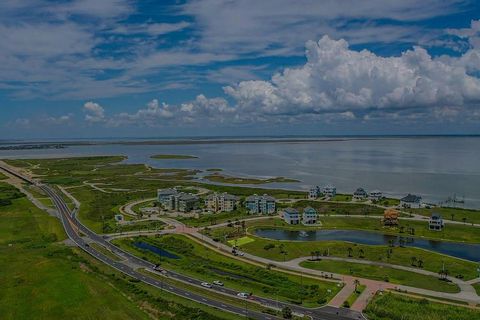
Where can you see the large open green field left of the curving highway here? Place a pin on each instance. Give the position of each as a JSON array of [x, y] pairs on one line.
[[43, 279]]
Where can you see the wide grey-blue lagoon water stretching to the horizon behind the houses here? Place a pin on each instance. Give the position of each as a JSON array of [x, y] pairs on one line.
[[434, 167]]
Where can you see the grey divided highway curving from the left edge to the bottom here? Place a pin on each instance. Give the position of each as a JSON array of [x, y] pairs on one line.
[[128, 266]]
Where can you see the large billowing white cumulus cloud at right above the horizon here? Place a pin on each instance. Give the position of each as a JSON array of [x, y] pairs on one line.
[[336, 79]]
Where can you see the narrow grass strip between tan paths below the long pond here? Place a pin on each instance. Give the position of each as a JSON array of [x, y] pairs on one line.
[[392, 275]]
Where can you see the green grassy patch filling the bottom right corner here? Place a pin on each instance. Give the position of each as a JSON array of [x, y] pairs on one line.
[[391, 306]]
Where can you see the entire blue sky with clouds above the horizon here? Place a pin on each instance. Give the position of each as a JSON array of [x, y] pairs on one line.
[[88, 68]]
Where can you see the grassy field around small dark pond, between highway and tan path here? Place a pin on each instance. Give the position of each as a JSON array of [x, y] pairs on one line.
[[203, 263]]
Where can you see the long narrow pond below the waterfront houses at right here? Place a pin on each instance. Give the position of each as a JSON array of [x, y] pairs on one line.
[[455, 249]]
